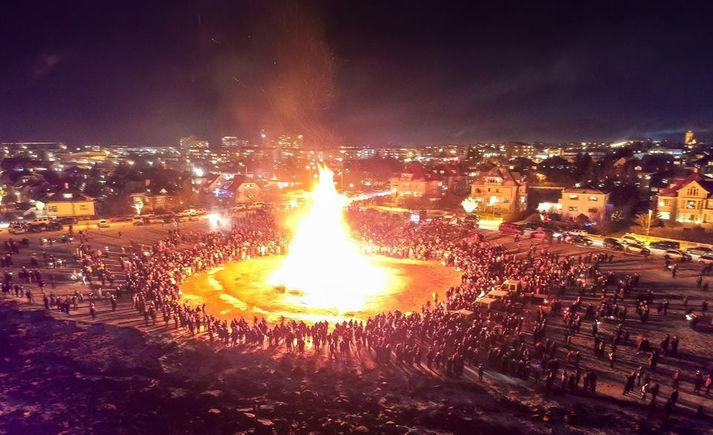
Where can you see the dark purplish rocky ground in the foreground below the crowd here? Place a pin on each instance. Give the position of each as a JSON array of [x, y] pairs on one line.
[[65, 376]]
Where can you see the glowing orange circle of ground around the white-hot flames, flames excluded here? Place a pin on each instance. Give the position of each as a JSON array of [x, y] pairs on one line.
[[241, 290]]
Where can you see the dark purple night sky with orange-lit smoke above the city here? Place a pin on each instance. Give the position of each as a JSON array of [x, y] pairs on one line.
[[359, 72]]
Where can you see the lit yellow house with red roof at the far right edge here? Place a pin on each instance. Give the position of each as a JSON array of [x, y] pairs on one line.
[[688, 201]]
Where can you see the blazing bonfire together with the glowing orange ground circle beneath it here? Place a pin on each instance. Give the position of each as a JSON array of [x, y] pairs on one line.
[[324, 276]]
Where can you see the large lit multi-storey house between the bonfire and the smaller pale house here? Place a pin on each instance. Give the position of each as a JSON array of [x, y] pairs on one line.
[[500, 192]]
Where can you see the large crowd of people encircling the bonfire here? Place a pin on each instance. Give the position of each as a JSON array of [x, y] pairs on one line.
[[449, 335]]
